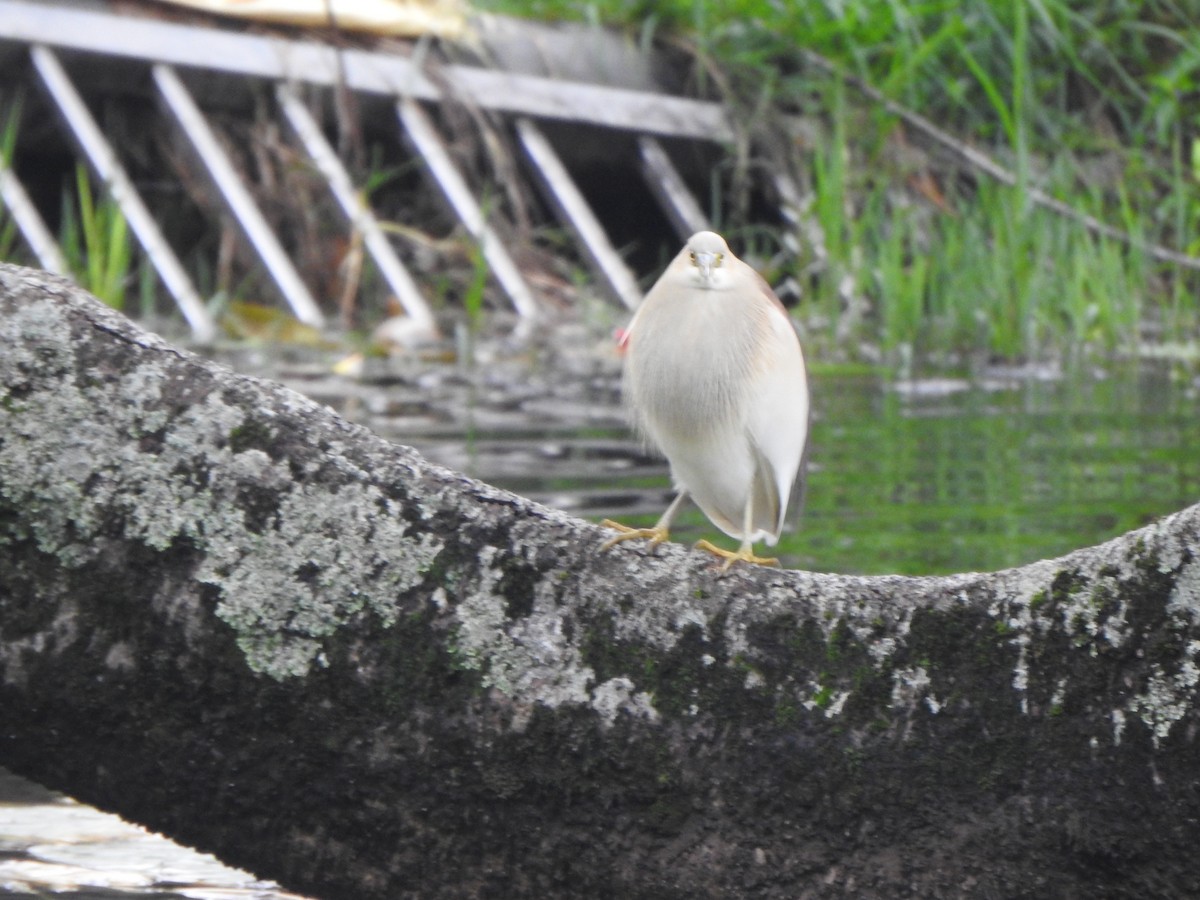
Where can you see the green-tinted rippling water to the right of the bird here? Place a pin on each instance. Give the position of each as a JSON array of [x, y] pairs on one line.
[[997, 473]]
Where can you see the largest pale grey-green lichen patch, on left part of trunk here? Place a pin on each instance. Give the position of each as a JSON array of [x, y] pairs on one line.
[[110, 447]]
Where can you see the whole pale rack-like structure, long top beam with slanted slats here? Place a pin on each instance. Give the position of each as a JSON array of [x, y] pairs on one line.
[[57, 35]]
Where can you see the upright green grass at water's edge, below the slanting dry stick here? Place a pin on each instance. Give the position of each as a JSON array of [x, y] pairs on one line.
[[991, 271]]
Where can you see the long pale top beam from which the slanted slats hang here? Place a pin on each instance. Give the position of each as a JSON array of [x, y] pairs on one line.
[[381, 74]]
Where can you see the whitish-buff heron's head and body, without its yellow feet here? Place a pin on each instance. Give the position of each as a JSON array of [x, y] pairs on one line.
[[716, 380]]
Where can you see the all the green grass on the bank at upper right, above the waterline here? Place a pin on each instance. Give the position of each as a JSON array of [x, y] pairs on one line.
[[1093, 104]]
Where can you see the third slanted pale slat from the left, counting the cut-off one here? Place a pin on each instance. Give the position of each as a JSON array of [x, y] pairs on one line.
[[248, 214]]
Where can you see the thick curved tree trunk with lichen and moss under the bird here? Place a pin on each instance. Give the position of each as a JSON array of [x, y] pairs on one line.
[[233, 617]]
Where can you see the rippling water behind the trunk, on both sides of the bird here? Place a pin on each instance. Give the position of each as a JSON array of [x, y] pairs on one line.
[[915, 477]]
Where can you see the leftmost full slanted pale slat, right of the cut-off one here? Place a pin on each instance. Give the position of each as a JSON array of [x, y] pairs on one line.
[[109, 169]]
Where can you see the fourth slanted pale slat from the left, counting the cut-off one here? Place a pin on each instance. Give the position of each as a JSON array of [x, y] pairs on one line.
[[355, 207]]
